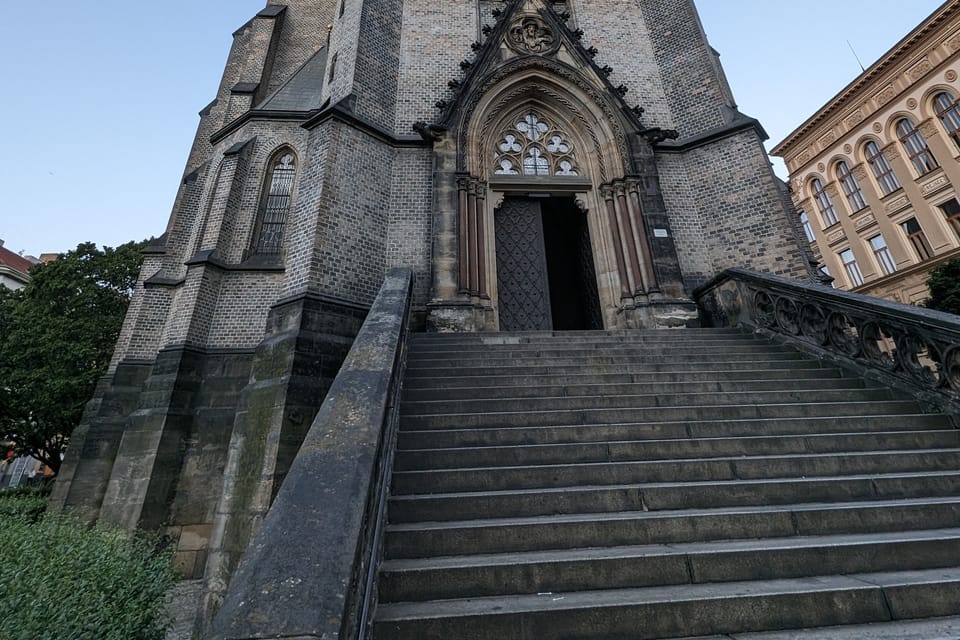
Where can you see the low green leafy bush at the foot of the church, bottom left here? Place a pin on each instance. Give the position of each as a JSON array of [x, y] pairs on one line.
[[60, 580]]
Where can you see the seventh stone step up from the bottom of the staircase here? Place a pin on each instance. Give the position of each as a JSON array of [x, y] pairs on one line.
[[631, 431]]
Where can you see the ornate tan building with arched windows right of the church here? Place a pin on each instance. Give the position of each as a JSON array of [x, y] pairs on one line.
[[875, 173]]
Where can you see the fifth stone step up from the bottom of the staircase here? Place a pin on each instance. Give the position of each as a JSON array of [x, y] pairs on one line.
[[679, 470]]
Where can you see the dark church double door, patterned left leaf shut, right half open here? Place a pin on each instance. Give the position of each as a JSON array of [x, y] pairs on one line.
[[546, 278]]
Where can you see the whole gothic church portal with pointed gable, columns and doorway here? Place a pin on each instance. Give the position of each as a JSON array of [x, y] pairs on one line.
[[535, 132]]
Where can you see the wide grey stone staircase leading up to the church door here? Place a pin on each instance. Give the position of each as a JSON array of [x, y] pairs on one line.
[[663, 484]]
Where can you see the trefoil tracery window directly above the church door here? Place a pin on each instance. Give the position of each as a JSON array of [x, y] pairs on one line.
[[535, 147]]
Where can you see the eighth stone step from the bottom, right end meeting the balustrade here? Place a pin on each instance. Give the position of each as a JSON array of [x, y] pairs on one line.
[[543, 418]]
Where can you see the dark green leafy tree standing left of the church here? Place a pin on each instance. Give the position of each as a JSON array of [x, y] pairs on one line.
[[56, 338]]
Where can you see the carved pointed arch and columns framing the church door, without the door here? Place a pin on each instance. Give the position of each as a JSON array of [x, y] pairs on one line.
[[606, 186]]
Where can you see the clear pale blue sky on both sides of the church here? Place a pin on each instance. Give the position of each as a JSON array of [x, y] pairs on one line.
[[101, 100]]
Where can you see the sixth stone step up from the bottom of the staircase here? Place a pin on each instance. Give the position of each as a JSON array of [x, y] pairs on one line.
[[648, 450]]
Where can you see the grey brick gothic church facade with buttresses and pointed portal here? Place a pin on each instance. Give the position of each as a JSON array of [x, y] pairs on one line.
[[539, 165]]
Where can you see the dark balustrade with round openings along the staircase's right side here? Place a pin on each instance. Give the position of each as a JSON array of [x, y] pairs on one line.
[[911, 348]]
